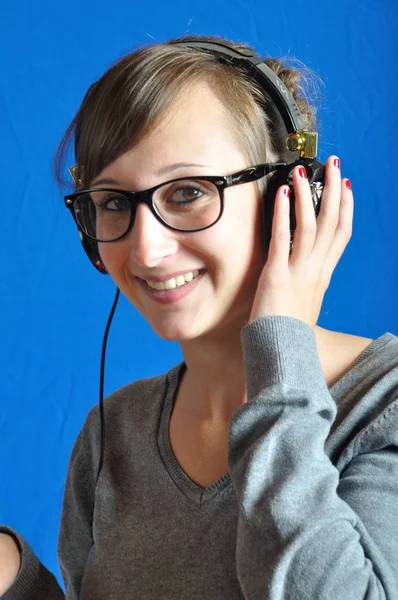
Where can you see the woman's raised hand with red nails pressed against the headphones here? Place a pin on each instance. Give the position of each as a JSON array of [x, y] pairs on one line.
[[294, 285]]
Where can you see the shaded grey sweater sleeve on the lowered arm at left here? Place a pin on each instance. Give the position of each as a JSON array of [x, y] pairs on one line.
[[34, 581]]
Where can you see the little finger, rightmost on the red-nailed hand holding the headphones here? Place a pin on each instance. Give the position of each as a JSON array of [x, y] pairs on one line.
[[343, 230]]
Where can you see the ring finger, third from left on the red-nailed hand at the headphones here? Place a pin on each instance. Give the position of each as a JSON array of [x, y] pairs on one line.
[[329, 213]]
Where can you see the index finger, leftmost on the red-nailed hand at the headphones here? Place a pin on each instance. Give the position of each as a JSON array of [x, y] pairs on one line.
[[280, 237]]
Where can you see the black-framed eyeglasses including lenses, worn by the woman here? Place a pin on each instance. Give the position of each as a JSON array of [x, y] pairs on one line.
[[184, 204]]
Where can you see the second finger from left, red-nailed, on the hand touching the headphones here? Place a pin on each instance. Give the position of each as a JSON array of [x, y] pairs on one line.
[[304, 235]]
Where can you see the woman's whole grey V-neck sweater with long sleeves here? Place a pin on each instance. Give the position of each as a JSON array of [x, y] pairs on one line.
[[307, 510]]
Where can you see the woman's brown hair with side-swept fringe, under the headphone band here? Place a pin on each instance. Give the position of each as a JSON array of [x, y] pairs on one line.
[[133, 95]]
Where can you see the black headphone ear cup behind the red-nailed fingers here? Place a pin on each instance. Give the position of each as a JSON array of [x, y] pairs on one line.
[[315, 173]]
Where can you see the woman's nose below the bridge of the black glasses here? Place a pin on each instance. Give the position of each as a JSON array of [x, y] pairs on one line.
[[150, 241]]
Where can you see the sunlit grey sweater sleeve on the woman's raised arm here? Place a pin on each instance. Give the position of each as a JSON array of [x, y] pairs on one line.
[[304, 531]]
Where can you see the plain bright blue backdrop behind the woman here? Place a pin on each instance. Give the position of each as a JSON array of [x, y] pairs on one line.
[[54, 305]]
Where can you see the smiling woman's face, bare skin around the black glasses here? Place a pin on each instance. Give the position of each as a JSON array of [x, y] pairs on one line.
[[228, 255]]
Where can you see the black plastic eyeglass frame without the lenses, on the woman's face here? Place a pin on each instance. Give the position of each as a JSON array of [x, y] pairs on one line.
[[221, 182]]
